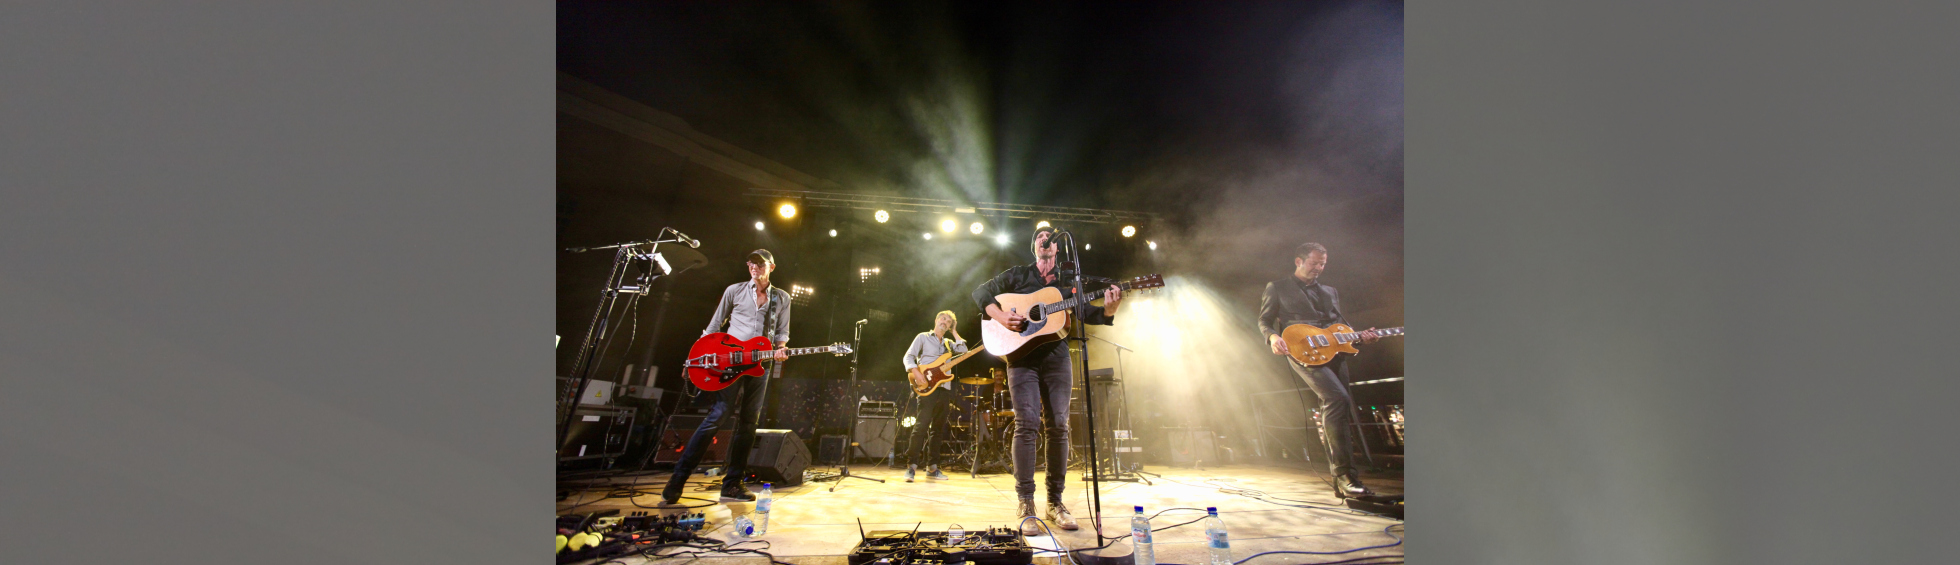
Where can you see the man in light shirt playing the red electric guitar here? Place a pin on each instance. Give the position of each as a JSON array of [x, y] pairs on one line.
[[748, 309]]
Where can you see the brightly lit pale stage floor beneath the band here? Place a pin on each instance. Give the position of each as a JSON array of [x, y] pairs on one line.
[[816, 527]]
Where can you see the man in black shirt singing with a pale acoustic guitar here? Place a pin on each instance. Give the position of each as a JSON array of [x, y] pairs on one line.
[[1042, 380]]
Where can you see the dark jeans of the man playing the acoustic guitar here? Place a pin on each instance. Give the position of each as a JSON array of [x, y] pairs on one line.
[[1040, 387]]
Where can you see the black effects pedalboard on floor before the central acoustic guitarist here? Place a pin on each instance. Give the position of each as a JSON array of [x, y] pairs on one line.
[[993, 546]]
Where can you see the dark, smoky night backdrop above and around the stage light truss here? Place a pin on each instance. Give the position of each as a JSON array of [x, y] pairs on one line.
[[1249, 127]]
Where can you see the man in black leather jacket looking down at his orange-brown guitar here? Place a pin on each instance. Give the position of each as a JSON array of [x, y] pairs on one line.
[[1302, 299]]
